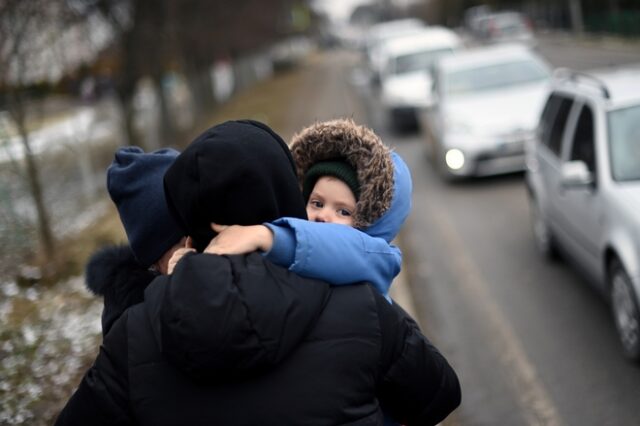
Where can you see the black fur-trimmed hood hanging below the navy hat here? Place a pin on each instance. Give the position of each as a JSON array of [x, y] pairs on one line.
[[114, 273]]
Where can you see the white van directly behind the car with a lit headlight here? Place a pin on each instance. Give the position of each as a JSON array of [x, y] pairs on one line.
[[405, 75]]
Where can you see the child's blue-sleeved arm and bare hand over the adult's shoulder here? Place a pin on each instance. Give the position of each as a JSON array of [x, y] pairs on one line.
[[335, 253]]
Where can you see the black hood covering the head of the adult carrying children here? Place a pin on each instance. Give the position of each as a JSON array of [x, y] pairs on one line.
[[237, 172]]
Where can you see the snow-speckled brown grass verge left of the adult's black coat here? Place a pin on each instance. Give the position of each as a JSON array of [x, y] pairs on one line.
[[50, 331]]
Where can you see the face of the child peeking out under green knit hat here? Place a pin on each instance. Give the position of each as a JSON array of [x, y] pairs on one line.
[[331, 201]]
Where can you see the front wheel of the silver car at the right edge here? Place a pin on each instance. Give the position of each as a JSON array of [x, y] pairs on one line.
[[624, 307]]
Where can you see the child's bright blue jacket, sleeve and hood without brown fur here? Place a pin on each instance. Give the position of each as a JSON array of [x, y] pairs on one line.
[[341, 254]]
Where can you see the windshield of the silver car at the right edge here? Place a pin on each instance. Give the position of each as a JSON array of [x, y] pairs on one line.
[[624, 143]]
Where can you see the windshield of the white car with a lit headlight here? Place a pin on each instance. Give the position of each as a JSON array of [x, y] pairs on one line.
[[493, 76]]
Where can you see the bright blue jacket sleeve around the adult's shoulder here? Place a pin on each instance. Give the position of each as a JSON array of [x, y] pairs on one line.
[[334, 253]]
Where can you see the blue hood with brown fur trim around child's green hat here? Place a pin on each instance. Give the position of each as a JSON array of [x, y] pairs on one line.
[[384, 178]]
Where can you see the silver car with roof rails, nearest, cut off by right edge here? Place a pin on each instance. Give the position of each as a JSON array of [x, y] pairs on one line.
[[583, 177]]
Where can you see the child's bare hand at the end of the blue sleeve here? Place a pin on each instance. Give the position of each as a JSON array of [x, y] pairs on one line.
[[237, 239]]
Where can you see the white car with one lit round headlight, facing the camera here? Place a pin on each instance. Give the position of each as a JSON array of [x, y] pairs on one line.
[[487, 103]]
